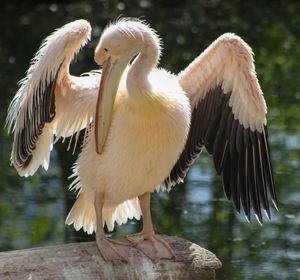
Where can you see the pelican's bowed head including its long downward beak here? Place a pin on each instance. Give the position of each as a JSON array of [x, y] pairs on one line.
[[119, 44]]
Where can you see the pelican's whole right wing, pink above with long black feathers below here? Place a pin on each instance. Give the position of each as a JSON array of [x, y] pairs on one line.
[[229, 120]]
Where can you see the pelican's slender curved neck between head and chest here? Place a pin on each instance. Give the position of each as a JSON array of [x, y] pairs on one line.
[[138, 84]]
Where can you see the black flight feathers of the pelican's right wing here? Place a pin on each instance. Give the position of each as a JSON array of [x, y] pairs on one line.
[[242, 156]]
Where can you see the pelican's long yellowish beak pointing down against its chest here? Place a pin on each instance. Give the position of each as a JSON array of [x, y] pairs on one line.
[[112, 72]]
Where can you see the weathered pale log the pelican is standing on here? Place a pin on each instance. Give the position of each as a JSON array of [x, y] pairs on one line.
[[83, 261]]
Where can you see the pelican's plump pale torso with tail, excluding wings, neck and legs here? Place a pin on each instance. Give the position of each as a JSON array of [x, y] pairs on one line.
[[147, 137]]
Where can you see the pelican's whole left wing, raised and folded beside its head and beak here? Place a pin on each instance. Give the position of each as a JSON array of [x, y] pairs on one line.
[[50, 102]]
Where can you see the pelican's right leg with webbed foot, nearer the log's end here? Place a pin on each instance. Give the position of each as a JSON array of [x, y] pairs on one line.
[[150, 244]]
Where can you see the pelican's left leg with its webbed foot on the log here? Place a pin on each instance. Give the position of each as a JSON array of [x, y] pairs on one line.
[[109, 249]]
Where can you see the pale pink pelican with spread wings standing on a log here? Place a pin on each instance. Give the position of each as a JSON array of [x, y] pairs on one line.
[[144, 126]]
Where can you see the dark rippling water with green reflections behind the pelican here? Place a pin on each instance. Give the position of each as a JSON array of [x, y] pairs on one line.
[[32, 210]]
